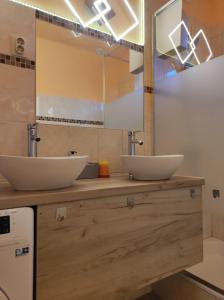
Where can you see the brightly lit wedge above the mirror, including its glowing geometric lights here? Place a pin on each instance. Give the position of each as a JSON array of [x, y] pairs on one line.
[[101, 11]]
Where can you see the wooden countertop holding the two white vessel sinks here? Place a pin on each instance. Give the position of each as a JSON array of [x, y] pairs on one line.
[[90, 189]]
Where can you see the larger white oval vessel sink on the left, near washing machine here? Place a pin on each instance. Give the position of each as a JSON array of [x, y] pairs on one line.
[[41, 173]]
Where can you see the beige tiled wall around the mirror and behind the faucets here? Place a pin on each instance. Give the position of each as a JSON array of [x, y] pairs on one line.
[[17, 104]]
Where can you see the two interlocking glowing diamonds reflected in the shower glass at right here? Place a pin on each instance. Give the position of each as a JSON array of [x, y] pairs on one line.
[[191, 43]]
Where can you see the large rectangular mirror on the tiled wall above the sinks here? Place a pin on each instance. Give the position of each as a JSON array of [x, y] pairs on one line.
[[86, 81]]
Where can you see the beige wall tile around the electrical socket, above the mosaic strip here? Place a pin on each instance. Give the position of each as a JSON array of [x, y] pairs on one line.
[[17, 20]]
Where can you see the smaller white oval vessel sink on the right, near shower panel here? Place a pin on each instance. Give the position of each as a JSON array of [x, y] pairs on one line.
[[152, 167]]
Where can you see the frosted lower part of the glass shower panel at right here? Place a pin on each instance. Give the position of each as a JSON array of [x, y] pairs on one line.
[[189, 119]]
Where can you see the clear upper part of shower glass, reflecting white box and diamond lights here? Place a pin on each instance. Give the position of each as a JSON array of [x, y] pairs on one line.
[[187, 33]]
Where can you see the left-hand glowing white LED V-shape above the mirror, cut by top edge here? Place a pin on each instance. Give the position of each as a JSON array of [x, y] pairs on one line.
[[104, 11]]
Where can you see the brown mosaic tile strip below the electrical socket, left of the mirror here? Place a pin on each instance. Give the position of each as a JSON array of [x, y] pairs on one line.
[[17, 61]]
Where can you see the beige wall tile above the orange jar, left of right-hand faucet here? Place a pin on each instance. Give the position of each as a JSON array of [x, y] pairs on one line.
[[111, 147]]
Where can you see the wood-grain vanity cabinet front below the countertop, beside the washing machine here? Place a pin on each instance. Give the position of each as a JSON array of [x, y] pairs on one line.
[[113, 248]]
